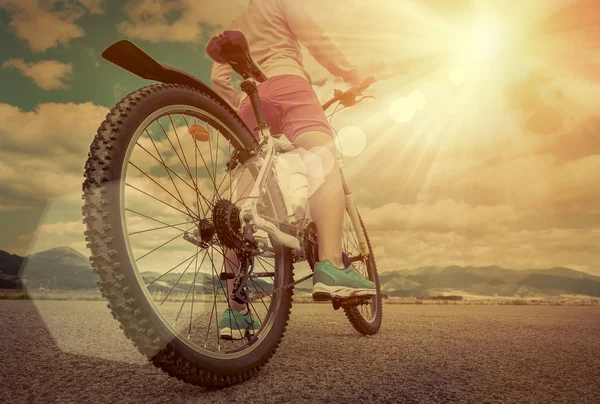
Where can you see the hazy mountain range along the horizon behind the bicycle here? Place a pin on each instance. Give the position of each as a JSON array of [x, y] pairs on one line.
[[65, 268]]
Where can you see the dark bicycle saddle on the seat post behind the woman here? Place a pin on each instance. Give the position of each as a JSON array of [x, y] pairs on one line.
[[232, 47]]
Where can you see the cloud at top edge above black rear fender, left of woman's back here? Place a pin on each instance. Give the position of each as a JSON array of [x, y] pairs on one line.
[[184, 21]]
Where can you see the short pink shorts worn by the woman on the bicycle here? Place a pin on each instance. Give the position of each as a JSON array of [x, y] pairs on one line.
[[290, 106]]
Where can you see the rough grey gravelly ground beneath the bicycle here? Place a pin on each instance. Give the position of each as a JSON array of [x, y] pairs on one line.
[[74, 352]]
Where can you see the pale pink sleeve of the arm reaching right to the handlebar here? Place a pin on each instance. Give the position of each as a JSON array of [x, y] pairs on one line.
[[320, 46]]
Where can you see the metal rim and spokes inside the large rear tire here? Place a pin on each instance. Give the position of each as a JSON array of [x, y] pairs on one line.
[[161, 198]]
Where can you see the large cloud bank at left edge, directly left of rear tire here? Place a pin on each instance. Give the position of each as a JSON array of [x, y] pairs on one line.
[[44, 151]]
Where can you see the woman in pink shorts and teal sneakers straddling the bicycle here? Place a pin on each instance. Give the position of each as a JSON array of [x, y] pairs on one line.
[[275, 29]]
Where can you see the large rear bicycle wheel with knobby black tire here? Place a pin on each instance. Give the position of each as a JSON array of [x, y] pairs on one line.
[[150, 196]]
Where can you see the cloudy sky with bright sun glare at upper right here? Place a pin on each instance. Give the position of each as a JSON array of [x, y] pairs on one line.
[[481, 147]]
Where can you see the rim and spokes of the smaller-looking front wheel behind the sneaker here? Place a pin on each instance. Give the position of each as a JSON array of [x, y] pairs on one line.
[[364, 266]]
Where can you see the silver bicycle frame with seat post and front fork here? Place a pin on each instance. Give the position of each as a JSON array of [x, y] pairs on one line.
[[264, 158]]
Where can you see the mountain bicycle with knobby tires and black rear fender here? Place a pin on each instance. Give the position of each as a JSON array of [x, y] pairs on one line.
[[140, 173]]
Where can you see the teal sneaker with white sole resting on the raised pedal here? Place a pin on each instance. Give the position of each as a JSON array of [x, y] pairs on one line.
[[330, 282]]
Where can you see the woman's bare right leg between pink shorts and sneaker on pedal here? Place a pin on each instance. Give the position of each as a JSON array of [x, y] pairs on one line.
[[327, 202]]
